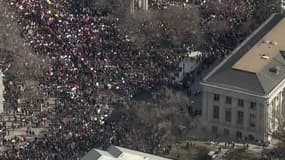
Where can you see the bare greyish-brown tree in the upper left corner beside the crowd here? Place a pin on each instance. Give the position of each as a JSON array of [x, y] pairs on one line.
[[25, 65]]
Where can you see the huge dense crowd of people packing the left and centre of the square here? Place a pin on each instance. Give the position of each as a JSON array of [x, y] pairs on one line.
[[91, 64]]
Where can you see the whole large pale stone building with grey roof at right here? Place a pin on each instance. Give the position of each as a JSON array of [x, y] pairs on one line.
[[243, 97]]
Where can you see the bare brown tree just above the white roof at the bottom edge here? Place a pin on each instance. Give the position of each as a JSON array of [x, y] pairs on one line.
[[155, 120]]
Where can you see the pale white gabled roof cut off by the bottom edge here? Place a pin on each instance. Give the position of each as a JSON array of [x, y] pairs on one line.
[[119, 153]]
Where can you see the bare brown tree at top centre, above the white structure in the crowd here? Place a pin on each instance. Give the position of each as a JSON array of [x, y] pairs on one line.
[[182, 24]]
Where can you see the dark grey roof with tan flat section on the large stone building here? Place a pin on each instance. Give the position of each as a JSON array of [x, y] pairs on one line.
[[257, 66]]
